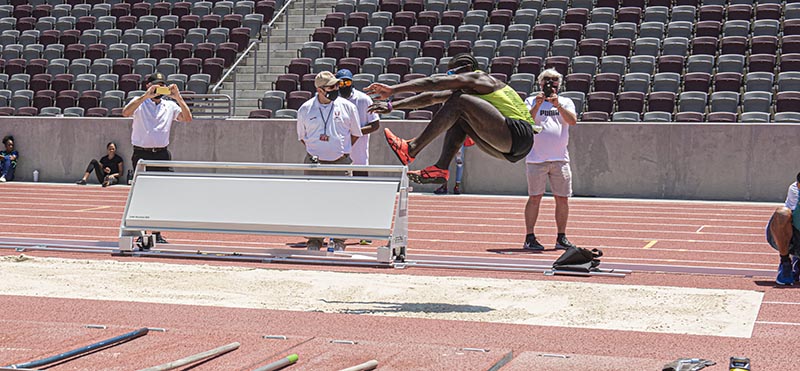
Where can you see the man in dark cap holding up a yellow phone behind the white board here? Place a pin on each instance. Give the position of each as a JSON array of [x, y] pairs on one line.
[[153, 114]]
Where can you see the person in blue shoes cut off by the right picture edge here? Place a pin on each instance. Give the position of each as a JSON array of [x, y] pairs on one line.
[[783, 235]]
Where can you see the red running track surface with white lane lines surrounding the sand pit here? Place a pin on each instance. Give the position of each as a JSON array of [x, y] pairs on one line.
[[659, 239]]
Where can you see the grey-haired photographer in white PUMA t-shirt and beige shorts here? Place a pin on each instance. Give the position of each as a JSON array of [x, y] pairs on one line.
[[549, 158]]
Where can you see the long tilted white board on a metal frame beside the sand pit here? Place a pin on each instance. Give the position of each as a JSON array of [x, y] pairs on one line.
[[249, 203]]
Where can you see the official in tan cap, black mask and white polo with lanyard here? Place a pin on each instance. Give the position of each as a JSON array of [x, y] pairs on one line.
[[328, 126]]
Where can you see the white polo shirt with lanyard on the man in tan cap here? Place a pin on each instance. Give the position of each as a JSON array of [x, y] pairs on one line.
[[338, 120]]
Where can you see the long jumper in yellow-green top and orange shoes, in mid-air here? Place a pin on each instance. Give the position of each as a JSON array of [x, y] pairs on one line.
[[474, 104]]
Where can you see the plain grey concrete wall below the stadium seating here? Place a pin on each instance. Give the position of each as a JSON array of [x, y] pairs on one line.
[[648, 160]]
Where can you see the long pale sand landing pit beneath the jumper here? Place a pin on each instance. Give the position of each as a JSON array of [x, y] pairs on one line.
[[544, 303]]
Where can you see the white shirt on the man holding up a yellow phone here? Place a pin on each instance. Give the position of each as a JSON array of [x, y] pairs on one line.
[[152, 122]]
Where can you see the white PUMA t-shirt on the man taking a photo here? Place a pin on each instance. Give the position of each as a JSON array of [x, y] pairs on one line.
[[551, 143]]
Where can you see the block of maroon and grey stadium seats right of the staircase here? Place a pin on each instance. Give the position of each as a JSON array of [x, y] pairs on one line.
[[660, 60]]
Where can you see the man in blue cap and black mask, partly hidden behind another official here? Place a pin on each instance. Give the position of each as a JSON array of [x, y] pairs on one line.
[[369, 121]]
